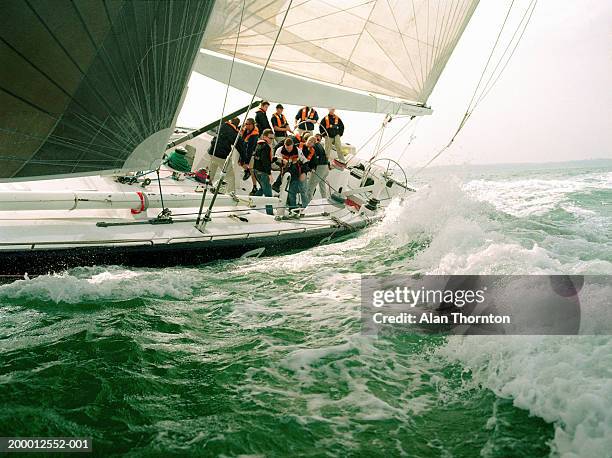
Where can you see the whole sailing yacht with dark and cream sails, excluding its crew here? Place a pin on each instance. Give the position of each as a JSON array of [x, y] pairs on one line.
[[90, 93]]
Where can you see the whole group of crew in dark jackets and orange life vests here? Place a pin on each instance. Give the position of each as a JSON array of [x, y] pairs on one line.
[[303, 155]]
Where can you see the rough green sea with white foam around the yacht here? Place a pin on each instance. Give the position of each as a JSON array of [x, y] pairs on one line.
[[264, 357]]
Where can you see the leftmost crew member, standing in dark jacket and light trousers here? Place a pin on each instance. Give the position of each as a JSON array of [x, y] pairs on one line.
[[221, 147]]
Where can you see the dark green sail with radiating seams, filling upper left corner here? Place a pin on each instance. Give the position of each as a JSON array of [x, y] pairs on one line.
[[84, 82]]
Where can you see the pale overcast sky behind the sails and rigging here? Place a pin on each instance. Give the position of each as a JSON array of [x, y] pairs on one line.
[[553, 102]]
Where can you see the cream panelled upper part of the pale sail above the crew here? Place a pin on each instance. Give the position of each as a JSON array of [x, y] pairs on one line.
[[394, 48]]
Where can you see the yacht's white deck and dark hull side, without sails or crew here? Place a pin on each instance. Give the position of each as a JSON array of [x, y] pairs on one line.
[[96, 220]]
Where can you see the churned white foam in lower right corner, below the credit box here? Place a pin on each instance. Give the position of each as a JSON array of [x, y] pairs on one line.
[[565, 380]]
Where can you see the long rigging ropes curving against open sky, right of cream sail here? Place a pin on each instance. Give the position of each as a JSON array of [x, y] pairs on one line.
[[476, 99]]
